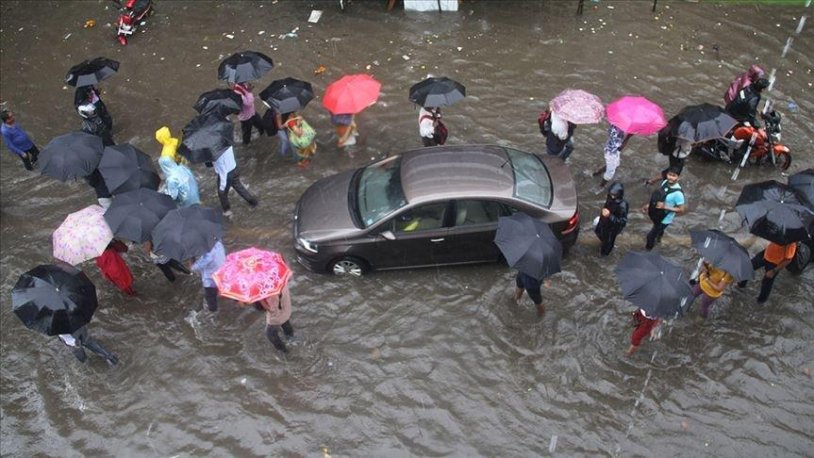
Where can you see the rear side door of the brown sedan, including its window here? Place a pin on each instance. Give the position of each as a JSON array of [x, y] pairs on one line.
[[472, 234]]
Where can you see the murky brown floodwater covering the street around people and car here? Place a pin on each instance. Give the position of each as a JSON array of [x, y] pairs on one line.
[[430, 362]]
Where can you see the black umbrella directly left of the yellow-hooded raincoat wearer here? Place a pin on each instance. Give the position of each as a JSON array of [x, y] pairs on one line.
[[125, 168]]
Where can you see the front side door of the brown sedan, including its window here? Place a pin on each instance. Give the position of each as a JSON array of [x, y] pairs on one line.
[[417, 233]]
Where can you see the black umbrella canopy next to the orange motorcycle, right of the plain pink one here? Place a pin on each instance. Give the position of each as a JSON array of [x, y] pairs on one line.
[[699, 123]]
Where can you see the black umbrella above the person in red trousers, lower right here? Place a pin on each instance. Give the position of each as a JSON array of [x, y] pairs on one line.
[[653, 284]]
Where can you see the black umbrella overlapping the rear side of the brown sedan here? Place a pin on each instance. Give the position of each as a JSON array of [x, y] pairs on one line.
[[529, 245]]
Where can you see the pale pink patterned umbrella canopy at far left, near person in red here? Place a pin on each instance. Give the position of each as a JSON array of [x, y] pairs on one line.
[[82, 236]]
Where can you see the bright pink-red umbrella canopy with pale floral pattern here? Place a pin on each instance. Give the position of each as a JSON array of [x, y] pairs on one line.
[[251, 275]]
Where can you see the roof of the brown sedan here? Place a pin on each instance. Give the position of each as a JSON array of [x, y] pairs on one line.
[[460, 171]]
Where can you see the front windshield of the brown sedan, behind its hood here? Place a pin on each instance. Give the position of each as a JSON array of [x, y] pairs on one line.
[[379, 191]]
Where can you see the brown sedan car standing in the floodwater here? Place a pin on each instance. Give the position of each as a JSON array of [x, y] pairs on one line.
[[429, 207]]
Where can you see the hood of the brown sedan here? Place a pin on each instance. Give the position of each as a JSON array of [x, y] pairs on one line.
[[322, 212]]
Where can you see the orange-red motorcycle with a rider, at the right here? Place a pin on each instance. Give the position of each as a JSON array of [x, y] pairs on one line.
[[762, 145]]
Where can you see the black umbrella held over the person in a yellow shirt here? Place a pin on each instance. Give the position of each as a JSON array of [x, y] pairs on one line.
[[723, 252]]
